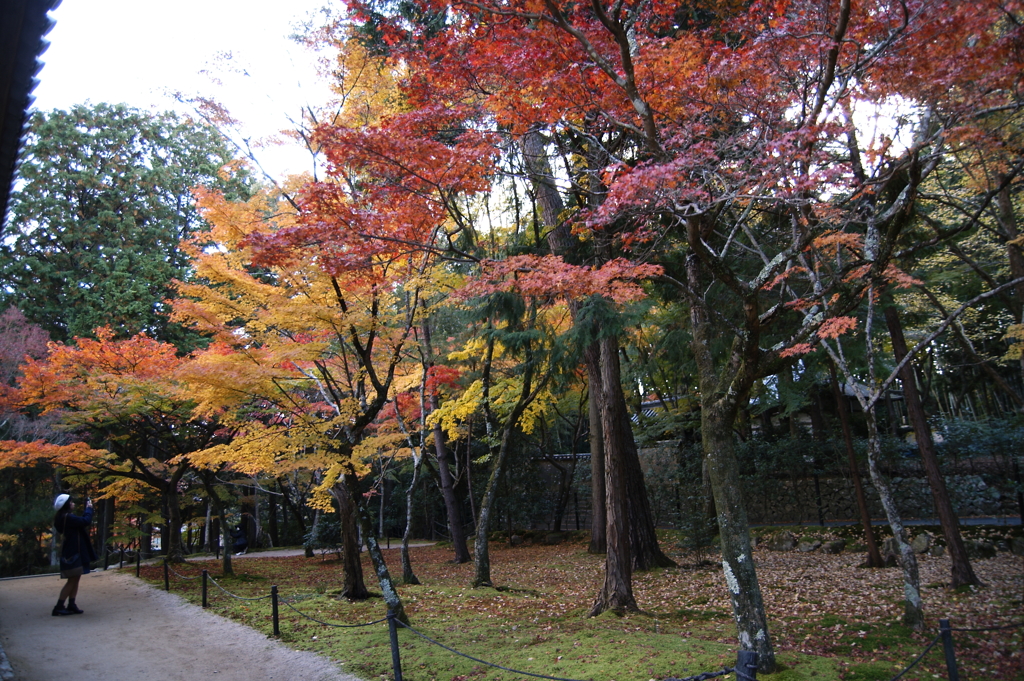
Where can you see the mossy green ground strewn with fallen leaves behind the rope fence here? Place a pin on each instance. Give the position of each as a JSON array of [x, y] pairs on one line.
[[829, 620]]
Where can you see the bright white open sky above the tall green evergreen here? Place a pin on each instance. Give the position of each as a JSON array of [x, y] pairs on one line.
[[141, 52]]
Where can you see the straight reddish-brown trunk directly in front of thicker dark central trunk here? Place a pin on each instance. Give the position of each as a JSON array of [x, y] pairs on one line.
[[617, 593]]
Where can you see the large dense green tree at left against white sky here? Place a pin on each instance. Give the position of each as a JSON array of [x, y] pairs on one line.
[[103, 201]]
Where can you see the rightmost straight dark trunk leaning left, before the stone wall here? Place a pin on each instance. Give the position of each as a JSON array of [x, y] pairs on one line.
[[963, 574]]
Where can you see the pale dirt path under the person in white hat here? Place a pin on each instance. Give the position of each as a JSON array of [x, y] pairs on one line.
[[133, 631]]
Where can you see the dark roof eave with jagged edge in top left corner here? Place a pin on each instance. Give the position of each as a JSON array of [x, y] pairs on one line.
[[23, 26]]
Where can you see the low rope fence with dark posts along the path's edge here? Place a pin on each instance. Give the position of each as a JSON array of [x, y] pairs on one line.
[[746, 669]]
